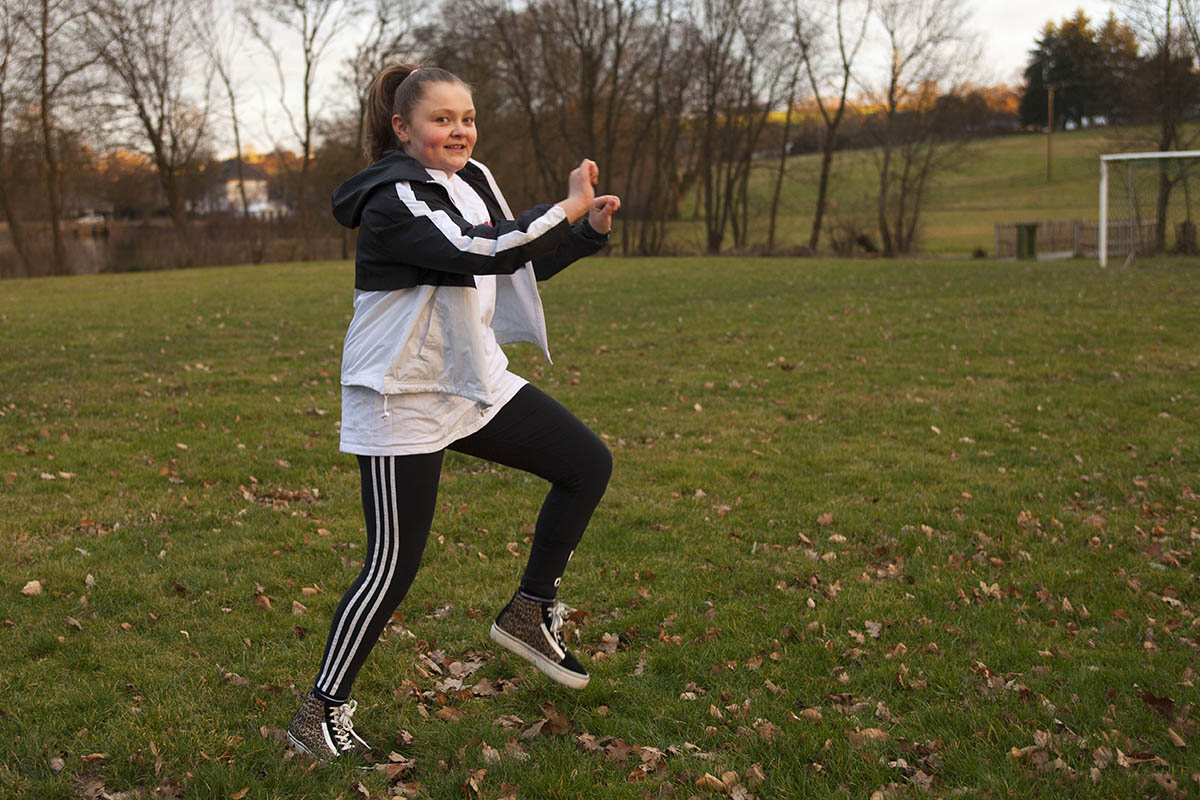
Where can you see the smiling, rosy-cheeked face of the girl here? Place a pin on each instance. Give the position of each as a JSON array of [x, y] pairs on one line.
[[442, 133]]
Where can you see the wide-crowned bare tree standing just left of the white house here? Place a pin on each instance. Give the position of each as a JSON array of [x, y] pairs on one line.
[[149, 49]]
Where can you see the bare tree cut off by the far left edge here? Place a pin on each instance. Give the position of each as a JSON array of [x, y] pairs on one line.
[[15, 85]]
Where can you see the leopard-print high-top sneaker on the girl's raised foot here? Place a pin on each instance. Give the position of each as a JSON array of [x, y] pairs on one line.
[[531, 629]]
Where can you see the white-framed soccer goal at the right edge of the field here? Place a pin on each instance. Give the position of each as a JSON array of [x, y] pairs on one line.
[[1147, 204]]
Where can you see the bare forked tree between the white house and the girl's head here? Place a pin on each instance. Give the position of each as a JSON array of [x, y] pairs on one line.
[[310, 27]]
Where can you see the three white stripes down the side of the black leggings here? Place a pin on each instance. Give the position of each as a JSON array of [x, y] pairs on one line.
[[363, 607]]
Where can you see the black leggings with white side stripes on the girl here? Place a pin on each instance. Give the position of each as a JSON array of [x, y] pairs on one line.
[[533, 434]]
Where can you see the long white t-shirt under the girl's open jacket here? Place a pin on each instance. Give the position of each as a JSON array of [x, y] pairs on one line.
[[405, 425]]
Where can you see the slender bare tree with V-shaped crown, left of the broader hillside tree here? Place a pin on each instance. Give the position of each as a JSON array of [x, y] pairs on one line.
[[830, 41]]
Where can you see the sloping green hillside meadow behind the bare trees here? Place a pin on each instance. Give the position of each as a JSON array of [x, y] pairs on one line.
[[1003, 179]]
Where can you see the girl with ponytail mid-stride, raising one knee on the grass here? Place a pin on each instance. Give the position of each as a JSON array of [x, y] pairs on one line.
[[443, 276]]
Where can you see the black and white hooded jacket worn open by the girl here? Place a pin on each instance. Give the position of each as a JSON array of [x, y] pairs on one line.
[[417, 324]]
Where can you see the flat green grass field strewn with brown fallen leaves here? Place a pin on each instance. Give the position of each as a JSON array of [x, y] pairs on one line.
[[877, 530]]
